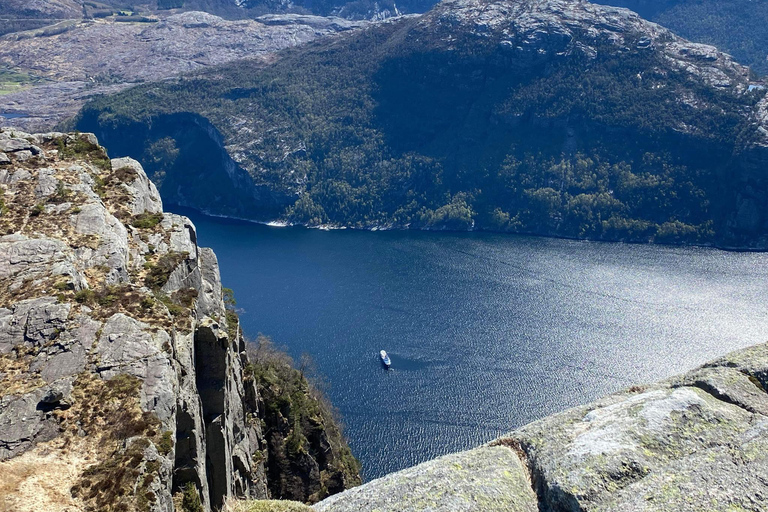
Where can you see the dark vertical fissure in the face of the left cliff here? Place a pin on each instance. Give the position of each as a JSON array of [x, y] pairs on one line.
[[211, 374]]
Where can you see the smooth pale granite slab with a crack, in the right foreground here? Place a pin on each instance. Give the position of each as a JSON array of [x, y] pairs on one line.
[[694, 442]]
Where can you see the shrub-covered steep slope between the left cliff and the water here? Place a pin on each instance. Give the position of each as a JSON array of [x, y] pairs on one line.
[[300, 424]]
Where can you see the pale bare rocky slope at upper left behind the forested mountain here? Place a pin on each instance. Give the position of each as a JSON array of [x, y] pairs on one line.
[[96, 57]]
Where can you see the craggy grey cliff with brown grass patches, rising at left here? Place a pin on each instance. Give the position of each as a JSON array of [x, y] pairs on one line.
[[124, 381]]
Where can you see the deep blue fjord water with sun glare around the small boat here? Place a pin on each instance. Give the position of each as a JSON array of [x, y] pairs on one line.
[[486, 332]]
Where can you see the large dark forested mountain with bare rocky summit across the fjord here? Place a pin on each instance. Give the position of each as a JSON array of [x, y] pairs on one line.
[[545, 116]]
